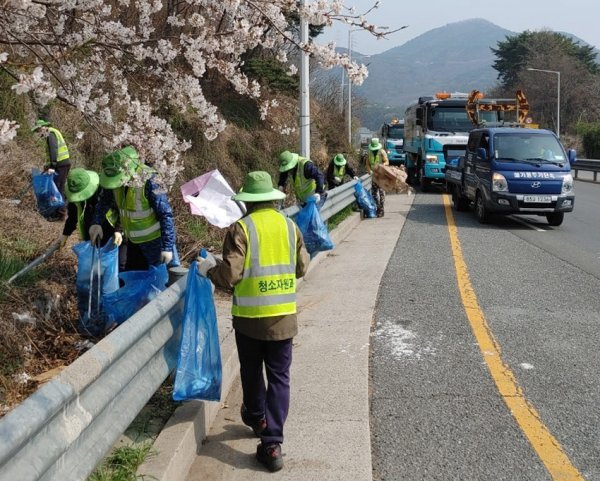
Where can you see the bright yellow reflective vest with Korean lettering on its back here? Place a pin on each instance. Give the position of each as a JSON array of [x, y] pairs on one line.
[[268, 284]]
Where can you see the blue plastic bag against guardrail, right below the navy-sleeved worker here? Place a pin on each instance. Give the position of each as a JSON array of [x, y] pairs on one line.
[[137, 288]]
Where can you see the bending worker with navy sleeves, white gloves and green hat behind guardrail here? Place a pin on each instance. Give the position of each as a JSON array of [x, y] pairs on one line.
[[144, 217]]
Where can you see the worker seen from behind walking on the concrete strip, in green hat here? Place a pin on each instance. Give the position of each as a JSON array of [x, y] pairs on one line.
[[263, 255]]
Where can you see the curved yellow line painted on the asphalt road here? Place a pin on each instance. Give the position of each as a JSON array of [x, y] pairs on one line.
[[542, 441]]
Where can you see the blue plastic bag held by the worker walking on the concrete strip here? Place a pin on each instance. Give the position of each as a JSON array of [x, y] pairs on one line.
[[199, 372]]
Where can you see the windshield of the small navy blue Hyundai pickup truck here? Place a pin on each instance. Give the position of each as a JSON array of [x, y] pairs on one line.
[[528, 147]]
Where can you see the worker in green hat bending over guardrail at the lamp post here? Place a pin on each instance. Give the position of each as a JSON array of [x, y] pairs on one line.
[[307, 179]]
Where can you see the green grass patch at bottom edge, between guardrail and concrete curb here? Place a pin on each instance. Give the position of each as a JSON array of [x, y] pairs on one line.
[[122, 464]]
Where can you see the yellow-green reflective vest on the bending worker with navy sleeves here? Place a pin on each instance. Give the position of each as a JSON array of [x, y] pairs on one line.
[[138, 219]]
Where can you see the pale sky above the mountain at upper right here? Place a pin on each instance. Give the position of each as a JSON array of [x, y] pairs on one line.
[[573, 16]]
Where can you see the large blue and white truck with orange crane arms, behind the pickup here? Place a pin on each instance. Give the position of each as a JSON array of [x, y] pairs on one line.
[[437, 128]]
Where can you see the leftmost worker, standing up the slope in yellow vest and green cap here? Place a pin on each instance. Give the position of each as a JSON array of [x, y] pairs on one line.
[[58, 158]]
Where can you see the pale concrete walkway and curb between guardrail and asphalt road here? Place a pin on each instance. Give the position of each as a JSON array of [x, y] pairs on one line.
[[327, 431]]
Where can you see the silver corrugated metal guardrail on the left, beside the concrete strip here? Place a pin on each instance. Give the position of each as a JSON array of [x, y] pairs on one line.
[[63, 430]]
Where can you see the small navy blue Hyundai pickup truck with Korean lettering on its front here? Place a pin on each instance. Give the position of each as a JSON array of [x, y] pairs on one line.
[[513, 170]]
